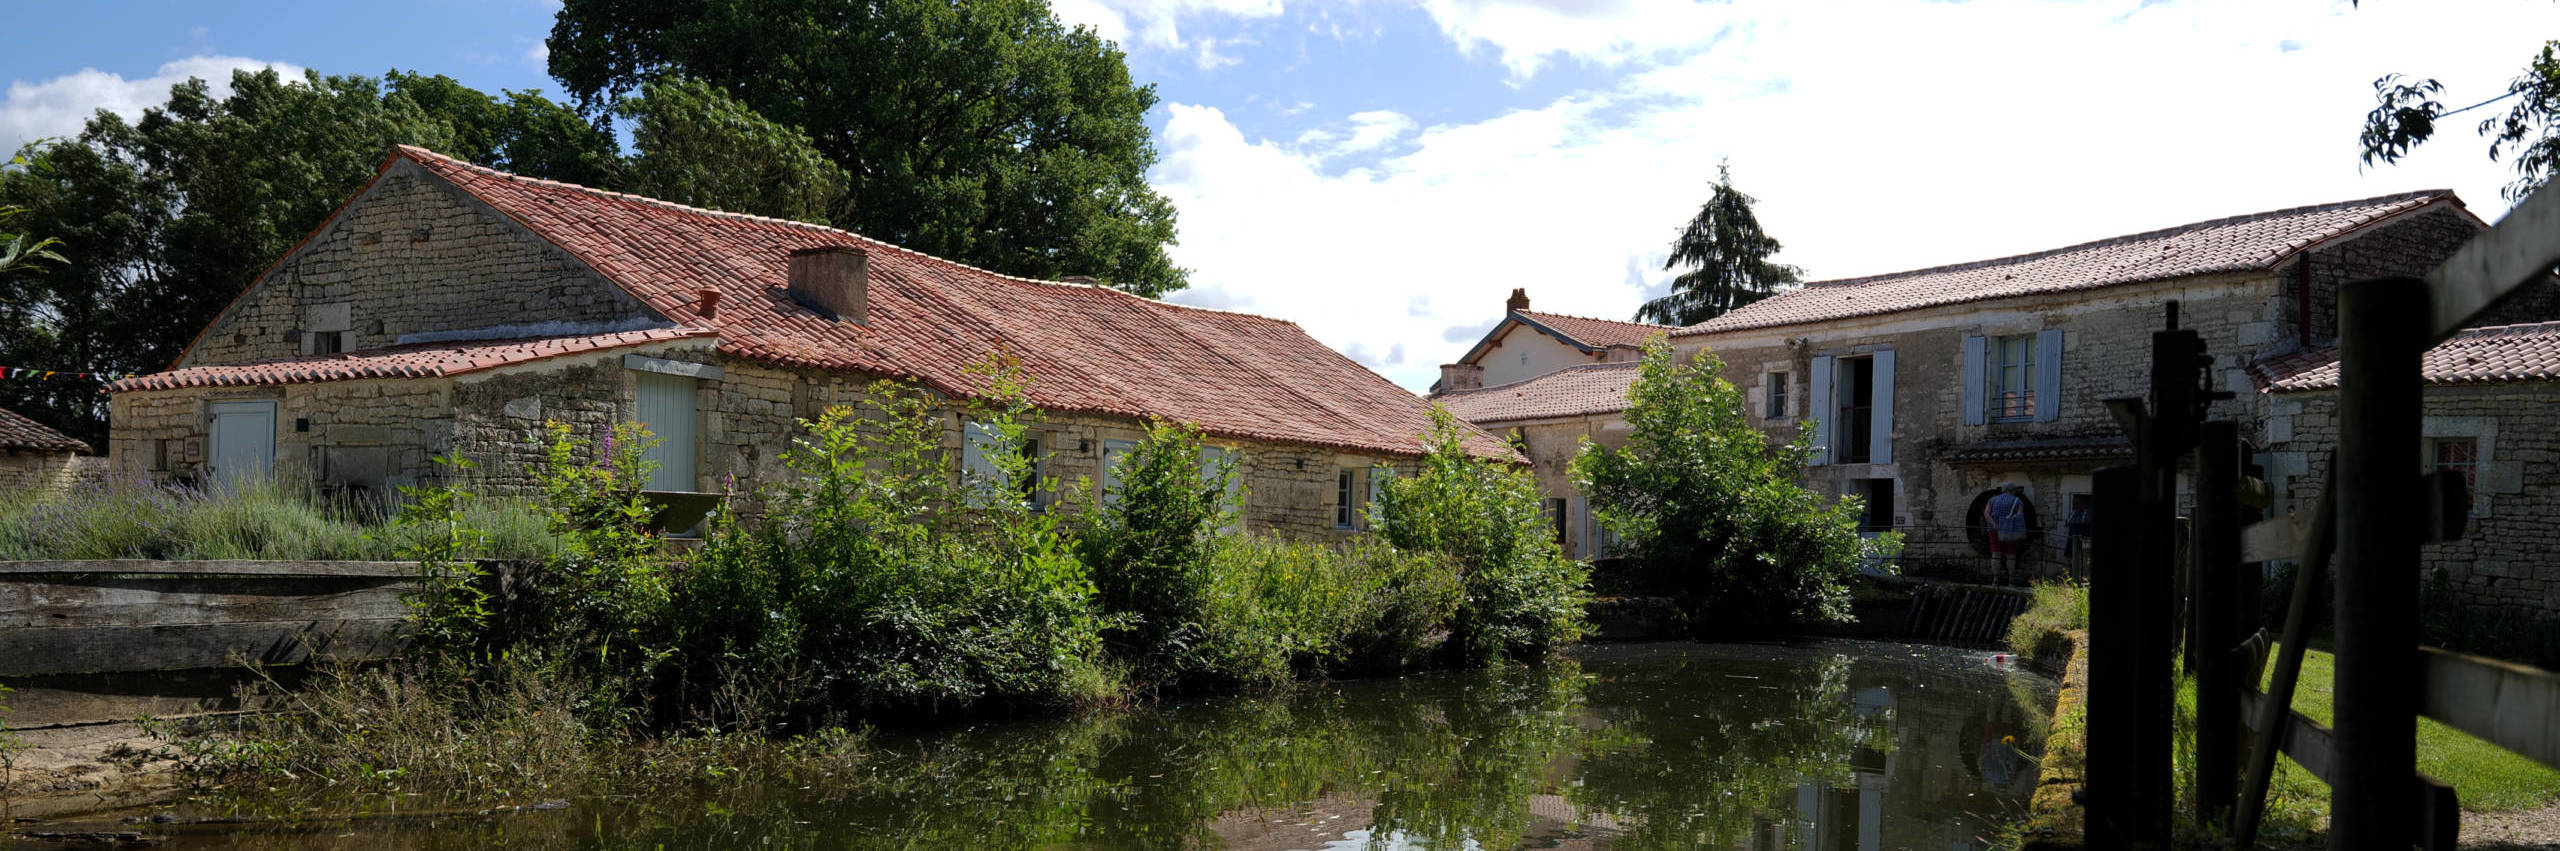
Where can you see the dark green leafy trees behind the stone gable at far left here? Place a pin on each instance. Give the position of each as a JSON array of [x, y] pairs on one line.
[[165, 219]]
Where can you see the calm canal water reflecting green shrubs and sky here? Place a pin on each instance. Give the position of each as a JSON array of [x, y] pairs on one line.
[[1837, 745]]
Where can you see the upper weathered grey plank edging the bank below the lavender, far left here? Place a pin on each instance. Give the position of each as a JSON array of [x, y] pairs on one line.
[[52, 601]]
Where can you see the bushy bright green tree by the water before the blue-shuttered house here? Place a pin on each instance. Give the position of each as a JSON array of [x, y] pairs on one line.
[[1714, 514]]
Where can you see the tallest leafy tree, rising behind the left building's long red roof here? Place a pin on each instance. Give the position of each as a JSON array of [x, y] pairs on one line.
[[982, 132]]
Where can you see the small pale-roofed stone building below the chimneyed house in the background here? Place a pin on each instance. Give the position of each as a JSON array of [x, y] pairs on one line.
[[1548, 419]]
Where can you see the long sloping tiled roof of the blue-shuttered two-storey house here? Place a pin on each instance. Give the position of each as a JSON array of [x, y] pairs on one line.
[[2226, 245]]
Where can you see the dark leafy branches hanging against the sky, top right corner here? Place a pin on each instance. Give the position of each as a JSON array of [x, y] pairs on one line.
[[2525, 135]]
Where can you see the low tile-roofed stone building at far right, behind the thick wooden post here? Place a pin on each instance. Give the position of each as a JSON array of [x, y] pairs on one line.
[[2495, 417]]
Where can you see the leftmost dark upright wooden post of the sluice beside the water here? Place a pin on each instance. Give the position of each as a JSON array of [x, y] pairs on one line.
[[2113, 650]]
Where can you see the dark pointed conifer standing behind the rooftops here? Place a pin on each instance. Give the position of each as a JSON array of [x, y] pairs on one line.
[[1727, 255]]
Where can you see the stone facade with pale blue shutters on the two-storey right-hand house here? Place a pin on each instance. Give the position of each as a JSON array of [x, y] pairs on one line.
[[2106, 352]]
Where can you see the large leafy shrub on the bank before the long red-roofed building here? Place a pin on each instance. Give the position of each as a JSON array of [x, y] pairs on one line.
[[879, 581]]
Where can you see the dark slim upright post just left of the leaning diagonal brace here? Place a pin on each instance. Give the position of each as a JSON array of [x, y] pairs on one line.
[[2216, 570]]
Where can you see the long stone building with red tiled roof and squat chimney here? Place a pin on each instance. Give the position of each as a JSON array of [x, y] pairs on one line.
[[460, 309]]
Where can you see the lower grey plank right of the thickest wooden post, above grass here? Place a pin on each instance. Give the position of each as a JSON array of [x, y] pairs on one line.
[[2505, 704]]
